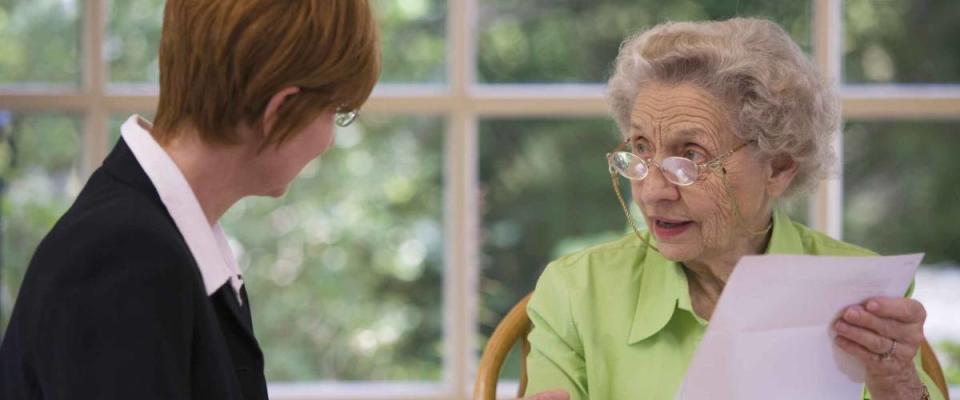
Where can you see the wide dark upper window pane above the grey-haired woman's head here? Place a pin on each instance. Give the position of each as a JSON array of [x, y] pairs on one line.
[[577, 40]]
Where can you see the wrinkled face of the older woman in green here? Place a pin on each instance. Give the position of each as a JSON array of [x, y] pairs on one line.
[[696, 222]]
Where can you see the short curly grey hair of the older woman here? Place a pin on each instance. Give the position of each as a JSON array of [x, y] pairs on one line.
[[772, 91]]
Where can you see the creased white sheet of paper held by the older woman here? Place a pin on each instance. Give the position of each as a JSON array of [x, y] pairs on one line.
[[770, 337]]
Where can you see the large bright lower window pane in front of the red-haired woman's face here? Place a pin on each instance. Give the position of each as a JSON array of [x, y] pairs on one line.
[[345, 271]]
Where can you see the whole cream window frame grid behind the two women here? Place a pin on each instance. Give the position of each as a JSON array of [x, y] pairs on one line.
[[464, 103]]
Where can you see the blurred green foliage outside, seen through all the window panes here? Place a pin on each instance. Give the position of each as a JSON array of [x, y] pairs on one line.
[[346, 271]]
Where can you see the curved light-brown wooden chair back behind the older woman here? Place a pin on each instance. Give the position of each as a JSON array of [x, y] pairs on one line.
[[516, 326]]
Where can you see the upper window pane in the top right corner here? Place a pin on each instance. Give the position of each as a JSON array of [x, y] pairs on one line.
[[904, 41]]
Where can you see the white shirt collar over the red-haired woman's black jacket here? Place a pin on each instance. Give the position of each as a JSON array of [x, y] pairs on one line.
[[208, 244]]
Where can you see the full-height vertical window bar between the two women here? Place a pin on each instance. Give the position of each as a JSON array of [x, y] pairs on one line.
[[460, 189]]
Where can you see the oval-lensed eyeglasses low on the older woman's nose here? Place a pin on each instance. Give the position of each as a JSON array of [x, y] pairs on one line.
[[679, 171]]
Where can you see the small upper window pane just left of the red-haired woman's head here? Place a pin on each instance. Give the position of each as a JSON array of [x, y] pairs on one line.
[[133, 39]]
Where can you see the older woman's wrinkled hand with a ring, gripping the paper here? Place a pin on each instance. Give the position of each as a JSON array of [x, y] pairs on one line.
[[885, 335]]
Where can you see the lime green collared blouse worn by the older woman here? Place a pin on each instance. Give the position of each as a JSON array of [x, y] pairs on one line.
[[615, 321]]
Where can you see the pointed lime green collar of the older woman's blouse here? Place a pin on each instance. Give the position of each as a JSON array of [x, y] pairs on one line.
[[664, 288]]
